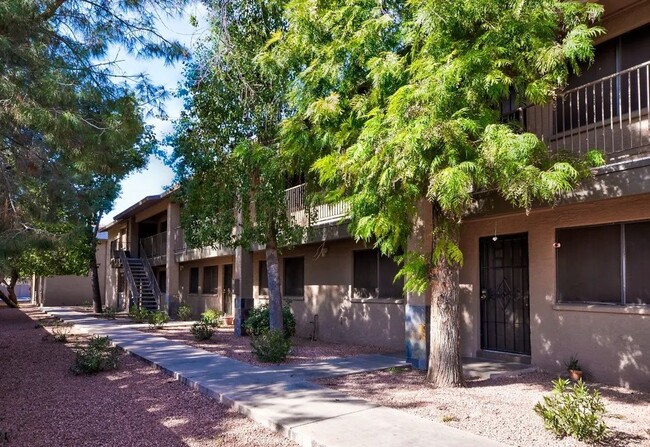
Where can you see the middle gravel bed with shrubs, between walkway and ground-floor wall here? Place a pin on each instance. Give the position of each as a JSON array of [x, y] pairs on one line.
[[225, 343]]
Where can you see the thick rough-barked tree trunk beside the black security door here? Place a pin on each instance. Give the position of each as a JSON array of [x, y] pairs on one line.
[[445, 362]]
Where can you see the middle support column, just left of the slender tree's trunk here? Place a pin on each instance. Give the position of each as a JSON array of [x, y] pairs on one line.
[[242, 287]]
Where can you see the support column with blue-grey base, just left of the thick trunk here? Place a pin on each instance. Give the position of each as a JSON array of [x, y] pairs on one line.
[[418, 306]]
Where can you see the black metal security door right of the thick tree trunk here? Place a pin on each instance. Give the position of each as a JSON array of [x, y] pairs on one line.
[[505, 301]]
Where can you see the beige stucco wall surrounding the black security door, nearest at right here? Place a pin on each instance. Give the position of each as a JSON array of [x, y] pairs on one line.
[[611, 342]]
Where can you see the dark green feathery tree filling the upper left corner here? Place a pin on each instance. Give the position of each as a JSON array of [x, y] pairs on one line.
[[67, 120]]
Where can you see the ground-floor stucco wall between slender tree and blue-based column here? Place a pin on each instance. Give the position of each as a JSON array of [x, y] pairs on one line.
[[328, 290]]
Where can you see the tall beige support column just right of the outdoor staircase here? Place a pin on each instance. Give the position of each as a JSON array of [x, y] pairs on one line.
[[172, 268]]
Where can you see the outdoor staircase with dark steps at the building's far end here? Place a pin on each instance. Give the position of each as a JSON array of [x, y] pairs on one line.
[[144, 289]]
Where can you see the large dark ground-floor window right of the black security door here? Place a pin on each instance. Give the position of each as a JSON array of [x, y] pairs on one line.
[[604, 264]]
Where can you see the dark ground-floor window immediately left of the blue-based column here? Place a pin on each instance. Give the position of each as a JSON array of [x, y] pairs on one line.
[[374, 276]]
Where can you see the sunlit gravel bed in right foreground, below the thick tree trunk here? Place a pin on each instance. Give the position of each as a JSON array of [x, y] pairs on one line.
[[500, 409]]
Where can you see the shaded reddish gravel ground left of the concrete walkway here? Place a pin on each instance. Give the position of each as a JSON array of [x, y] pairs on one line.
[[42, 404]]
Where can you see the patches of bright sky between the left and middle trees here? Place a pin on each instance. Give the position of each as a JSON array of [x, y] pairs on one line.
[[156, 177]]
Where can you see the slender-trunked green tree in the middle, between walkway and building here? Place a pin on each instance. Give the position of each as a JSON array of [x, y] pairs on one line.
[[226, 154]]
